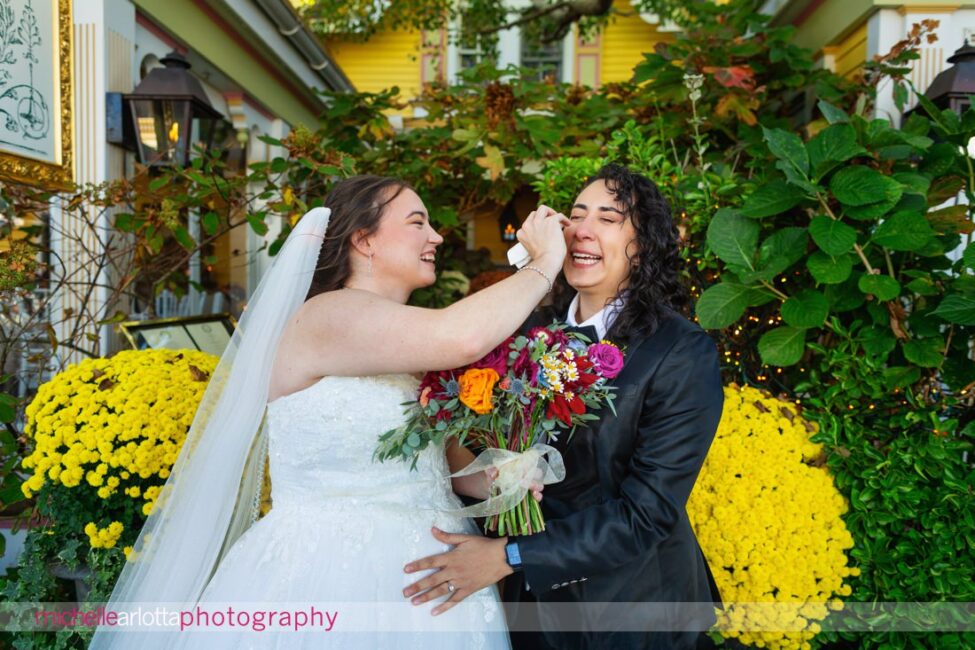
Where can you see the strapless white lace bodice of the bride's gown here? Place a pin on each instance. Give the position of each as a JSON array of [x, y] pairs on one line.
[[322, 439]]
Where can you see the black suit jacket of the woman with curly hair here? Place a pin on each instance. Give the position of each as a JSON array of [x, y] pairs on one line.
[[626, 538]]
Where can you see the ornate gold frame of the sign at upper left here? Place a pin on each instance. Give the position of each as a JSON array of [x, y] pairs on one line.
[[54, 176]]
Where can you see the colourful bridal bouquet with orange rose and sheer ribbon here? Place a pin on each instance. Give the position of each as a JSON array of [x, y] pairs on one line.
[[512, 403]]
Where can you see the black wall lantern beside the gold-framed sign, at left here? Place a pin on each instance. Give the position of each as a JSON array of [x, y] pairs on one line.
[[171, 114]]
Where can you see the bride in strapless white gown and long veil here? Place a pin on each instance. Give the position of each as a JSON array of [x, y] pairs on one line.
[[327, 350]]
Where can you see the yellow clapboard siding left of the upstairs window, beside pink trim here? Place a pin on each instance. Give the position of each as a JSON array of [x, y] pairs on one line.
[[390, 58]]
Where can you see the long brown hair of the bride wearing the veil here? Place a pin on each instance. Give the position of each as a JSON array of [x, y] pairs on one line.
[[357, 204]]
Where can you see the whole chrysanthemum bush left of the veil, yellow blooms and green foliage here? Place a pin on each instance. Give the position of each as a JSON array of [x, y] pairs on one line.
[[103, 435]]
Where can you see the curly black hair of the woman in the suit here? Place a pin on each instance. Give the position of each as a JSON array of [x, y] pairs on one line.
[[654, 287]]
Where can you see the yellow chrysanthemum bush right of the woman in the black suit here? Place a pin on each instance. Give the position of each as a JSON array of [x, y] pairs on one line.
[[768, 518]]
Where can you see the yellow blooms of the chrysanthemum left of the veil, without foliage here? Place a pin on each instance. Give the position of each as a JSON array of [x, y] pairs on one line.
[[113, 427]]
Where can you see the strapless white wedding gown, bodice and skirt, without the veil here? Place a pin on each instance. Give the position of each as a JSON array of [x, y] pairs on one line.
[[341, 529]]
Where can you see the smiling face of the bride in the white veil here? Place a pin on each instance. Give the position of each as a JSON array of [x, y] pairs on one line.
[[405, 244]]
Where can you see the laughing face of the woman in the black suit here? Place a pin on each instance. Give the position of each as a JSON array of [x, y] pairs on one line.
[[601, 241]]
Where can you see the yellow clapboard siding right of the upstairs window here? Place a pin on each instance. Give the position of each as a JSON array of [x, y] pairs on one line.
[[624, 40]]
